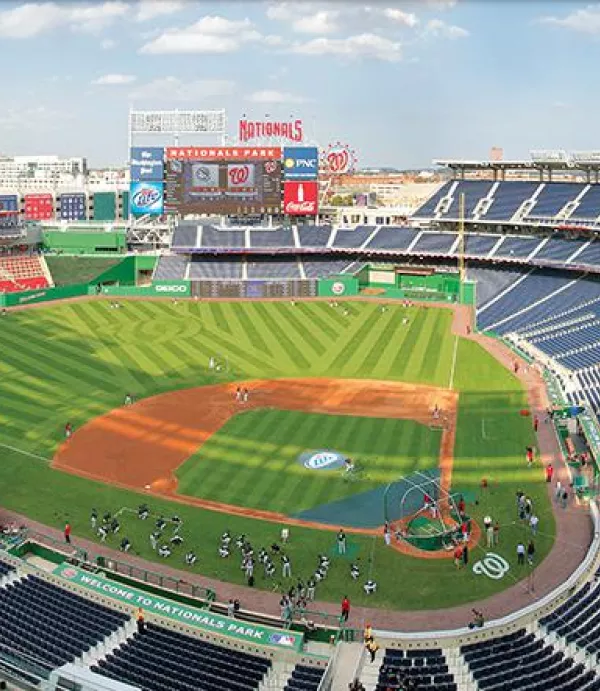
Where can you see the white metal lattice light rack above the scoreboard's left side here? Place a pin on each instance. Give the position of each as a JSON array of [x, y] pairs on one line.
[[176, 123]]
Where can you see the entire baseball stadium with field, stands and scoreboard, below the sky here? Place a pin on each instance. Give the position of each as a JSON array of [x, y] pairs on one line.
[[255, 439]]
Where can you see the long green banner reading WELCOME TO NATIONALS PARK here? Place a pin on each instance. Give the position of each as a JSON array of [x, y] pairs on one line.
[[181, 613]]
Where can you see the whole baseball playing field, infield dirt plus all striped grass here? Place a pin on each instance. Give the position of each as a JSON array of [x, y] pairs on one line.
[[354, 380]]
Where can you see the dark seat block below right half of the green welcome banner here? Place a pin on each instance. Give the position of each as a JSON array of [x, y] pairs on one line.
[[160, 659]]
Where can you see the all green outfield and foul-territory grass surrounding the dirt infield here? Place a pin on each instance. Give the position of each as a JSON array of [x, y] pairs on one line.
[[76, 361]]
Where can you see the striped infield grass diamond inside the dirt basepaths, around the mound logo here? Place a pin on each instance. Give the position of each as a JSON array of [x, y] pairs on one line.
[[252, 460]]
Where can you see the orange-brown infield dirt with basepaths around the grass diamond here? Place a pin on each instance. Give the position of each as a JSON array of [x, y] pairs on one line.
[[141, 446]]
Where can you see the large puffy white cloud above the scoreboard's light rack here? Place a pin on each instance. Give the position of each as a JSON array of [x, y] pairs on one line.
[[208, 35]]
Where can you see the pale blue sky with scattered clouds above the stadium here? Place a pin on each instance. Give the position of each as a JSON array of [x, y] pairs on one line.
[[400, 82]]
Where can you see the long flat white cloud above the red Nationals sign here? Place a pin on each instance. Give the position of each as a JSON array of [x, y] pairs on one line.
[[353, 47]]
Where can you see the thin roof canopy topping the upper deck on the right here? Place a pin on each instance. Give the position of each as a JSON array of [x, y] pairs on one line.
[[540, 160]]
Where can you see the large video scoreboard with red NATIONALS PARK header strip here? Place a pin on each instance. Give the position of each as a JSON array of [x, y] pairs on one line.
[[212, 183]]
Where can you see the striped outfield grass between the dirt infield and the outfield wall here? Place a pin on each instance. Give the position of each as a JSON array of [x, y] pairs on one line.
[[78, 360]]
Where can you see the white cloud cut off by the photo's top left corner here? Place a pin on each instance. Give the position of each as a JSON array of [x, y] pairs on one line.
[[33, 19]]
